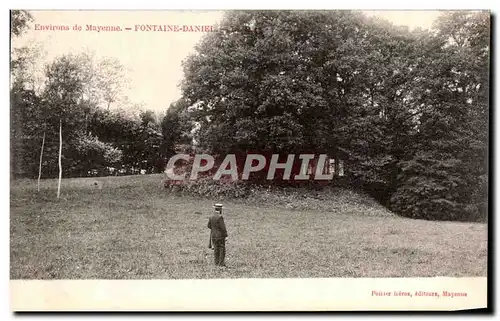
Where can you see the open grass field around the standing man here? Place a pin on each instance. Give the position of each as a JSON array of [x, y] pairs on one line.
[[131, 228]]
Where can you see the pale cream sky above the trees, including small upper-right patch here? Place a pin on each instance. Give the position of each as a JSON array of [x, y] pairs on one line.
[[152, 60]]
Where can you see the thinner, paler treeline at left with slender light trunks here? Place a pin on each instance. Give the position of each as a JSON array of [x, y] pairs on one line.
[[102, 132]]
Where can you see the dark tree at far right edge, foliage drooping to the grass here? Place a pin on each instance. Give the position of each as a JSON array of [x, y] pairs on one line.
[[446, 178]]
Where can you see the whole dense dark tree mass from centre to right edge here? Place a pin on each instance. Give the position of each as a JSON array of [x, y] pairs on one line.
[[407, 111]]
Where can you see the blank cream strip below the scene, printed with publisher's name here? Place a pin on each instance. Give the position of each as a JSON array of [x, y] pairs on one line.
[[230, 295]]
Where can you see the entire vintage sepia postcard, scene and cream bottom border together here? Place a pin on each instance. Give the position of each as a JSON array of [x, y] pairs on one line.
[[251, 145]]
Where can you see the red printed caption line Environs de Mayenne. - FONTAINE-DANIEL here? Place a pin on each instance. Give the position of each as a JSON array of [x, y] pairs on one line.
[[137, 27]]
